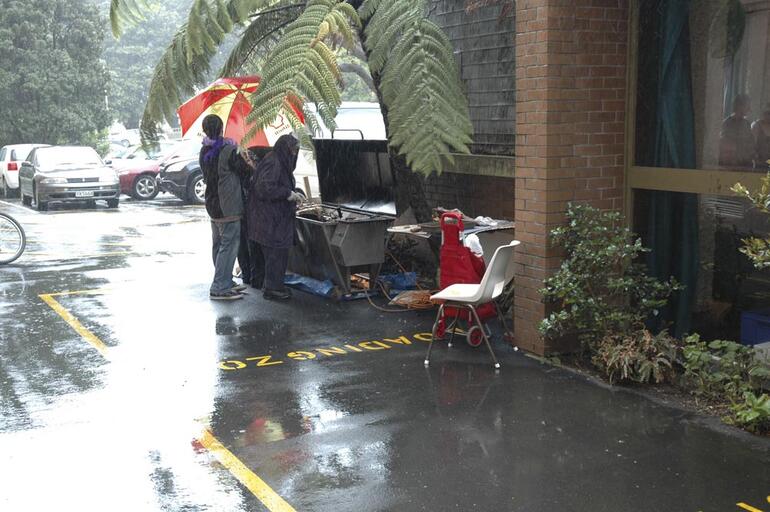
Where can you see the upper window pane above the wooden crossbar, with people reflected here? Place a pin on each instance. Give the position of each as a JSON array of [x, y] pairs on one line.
[[703, 81]]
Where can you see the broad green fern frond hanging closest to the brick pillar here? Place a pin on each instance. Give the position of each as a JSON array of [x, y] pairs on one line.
[[428, 116]]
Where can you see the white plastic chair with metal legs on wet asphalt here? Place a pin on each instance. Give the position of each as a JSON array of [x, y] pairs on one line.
[[470, 296]]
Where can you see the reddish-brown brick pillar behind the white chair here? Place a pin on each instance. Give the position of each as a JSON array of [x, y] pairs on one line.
[[570, 132]]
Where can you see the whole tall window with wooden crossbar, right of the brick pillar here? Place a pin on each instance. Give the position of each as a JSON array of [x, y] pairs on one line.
[[700, 117]]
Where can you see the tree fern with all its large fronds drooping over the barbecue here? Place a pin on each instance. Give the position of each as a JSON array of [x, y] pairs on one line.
[[292, 44]]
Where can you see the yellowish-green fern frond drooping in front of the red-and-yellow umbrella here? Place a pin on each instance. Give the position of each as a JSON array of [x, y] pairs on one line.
[[302, 67]]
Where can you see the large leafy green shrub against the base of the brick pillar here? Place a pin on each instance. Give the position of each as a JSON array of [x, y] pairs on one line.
[[601, 289]]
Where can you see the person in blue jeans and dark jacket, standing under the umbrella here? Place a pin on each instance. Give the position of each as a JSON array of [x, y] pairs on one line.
[[223, 168]]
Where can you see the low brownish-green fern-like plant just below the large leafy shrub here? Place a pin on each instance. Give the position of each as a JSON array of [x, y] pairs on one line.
[[638, 357]]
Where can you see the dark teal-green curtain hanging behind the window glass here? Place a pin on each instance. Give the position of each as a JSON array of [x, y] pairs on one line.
[[673, 217]]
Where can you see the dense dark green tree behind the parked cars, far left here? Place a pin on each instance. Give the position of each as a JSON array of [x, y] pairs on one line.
[[52, 82]]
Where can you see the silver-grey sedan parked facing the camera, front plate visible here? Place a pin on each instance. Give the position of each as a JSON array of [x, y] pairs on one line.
[[66, 174]]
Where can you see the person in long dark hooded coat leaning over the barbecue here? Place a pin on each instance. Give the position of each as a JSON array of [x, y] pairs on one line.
[[271, 213]]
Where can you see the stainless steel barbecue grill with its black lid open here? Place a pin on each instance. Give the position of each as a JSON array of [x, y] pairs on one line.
[[346, 234]]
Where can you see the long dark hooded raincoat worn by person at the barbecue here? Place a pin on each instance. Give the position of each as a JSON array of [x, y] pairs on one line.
[[271, 216]]
